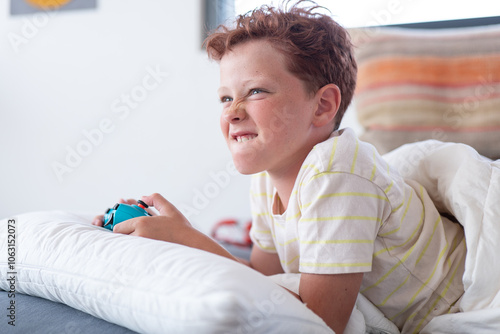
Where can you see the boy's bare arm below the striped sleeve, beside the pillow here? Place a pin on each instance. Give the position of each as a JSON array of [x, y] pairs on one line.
[[332, 297]]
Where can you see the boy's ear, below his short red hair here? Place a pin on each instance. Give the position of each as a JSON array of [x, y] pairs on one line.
[[328, 98]]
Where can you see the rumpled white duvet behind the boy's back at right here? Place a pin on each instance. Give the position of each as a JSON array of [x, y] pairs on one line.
[[467, 185]]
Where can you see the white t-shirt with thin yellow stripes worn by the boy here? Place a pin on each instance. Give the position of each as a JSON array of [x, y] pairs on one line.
[[350, 212]]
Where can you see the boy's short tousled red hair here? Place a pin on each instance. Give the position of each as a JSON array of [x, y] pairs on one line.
[[318, 48]]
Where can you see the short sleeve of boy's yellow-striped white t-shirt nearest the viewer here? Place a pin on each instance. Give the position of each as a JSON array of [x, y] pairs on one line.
[[341, 214]]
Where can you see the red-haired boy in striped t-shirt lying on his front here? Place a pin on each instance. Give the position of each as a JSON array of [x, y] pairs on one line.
[[323, 203]]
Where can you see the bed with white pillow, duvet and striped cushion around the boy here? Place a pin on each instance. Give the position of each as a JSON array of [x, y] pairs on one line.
[[61, 274]]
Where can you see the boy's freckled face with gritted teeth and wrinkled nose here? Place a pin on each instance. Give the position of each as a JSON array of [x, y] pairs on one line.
[[267, 113]]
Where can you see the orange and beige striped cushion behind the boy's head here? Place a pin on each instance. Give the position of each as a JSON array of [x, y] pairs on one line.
[[429, 84]]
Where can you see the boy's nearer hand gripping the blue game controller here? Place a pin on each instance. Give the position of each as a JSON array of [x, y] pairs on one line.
[[170, 225]]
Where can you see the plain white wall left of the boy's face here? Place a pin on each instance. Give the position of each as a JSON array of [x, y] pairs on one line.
[[64, 82]]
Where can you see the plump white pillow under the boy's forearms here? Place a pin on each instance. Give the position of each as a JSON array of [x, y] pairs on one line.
[[146, 285]]
